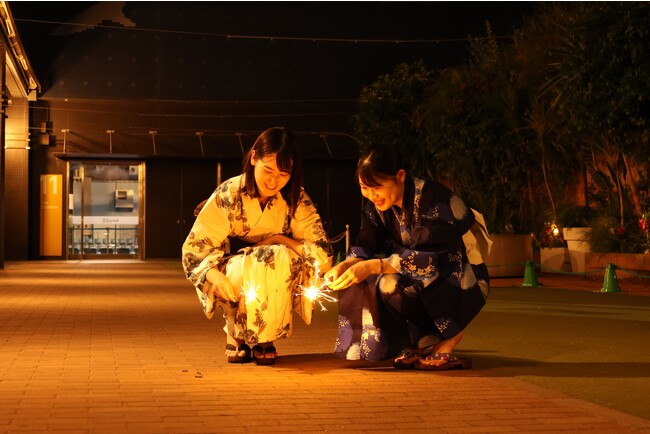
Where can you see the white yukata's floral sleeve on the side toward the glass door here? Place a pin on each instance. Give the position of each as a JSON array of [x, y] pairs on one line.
[[207, 241]]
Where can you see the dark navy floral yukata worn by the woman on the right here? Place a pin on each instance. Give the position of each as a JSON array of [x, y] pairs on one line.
[[438, 292]]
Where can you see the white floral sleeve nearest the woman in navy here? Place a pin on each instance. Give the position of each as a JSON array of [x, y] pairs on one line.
[[307, 227]]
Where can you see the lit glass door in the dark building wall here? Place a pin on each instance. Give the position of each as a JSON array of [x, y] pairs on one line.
[[103, 209]]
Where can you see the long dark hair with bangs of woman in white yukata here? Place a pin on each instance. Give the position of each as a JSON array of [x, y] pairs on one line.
[[281, 142]]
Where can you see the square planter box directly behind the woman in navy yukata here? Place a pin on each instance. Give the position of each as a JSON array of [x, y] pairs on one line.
[[509, 254]]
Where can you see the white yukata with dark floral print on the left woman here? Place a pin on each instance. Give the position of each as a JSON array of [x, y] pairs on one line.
[[270, 276]]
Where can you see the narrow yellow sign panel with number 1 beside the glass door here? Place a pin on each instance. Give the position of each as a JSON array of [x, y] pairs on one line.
[[51, 215]]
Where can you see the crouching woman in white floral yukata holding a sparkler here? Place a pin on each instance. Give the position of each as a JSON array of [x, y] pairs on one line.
[[258, 286]]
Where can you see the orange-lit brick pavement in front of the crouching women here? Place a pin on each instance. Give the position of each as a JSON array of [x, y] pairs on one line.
[[95, 347]]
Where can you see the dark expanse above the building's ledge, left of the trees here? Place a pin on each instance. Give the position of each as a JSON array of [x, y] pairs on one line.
[[244, 51]]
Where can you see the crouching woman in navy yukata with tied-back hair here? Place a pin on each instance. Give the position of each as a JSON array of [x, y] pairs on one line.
[[408, 287]]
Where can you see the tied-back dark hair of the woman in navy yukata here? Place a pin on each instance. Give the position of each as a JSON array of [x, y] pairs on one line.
[[378, 163]]
